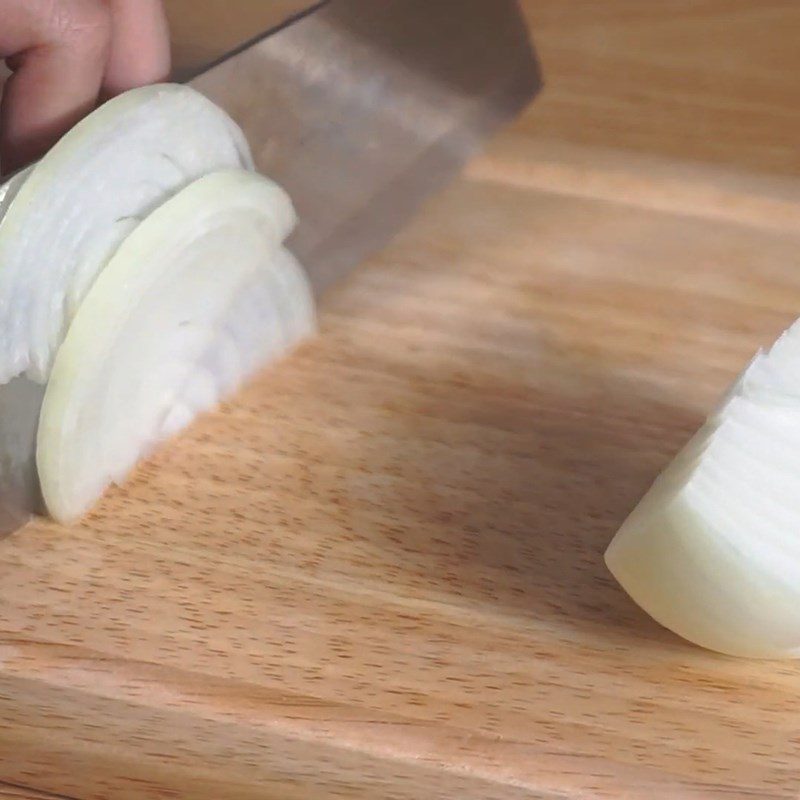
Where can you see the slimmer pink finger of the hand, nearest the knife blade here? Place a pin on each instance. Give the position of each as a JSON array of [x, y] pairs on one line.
[[140, 47]]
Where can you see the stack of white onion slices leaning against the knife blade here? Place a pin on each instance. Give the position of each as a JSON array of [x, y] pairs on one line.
[[143, 278]]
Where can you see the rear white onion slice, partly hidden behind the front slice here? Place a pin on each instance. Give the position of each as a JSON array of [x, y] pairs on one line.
[[67, 216]]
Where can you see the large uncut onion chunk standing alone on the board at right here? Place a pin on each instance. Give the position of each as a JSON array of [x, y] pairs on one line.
[[712, 552]]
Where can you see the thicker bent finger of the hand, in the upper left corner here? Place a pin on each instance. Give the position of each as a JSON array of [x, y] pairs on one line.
[[58, 50]]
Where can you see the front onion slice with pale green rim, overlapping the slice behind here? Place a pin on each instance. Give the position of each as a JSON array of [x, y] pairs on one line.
[[200, 295]]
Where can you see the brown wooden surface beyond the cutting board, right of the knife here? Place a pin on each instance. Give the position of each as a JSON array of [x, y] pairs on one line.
[[704, 80]]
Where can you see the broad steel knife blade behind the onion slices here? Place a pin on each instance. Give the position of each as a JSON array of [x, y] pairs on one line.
[[359, 108]]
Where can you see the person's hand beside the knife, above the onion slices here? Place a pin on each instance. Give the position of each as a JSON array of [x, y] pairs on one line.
[[64, 55]]
